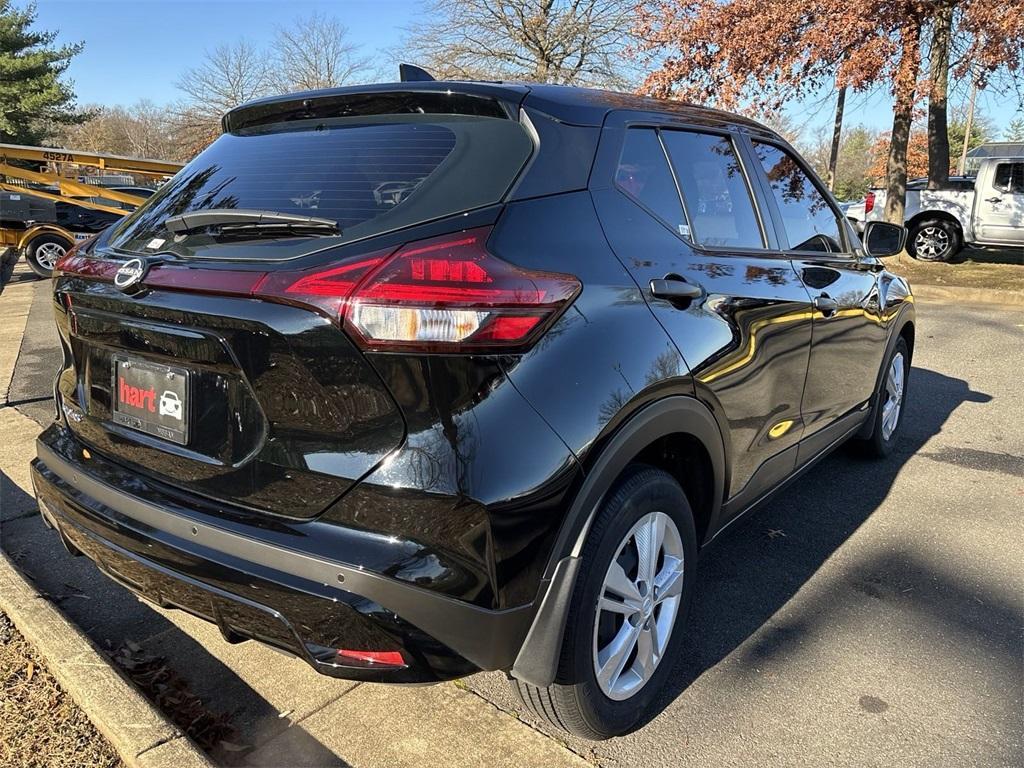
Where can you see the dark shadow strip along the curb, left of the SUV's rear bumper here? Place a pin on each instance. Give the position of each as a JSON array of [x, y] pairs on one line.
[[125, 627]]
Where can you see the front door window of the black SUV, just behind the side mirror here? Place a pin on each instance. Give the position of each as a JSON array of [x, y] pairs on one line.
[[809, 221]]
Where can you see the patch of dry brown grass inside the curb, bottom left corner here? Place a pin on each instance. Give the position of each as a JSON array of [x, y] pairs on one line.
[[40, 726]]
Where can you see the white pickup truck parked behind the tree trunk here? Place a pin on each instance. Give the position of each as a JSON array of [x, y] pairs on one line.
[[988, 211]]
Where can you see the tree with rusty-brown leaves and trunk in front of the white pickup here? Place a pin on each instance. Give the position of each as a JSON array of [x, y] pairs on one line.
[[765, 53]]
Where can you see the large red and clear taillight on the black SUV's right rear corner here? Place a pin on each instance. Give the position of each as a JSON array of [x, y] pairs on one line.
[[444, 294]]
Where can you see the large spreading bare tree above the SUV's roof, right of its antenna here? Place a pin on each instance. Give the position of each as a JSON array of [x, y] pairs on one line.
[[573, 42]]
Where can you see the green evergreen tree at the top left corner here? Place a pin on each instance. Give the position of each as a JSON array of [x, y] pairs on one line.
[[34, 99]]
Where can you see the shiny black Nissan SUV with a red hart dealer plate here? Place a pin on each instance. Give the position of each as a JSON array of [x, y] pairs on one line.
[[422, 379]]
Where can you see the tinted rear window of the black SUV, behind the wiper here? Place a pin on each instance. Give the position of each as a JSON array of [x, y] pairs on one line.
[[371, 176]]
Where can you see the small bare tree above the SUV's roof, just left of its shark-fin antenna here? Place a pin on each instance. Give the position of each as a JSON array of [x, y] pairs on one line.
[[316, 53]]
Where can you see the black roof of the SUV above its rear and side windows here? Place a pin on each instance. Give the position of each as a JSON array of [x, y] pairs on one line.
[[567, 104]]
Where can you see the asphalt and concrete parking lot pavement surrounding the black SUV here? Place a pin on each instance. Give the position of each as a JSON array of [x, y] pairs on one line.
[[871, 615]]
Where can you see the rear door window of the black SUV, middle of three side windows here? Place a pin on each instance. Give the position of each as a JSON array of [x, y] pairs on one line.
[[718, 200]]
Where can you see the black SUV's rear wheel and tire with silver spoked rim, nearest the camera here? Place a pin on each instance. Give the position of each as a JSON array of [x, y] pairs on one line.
[[578, 702]]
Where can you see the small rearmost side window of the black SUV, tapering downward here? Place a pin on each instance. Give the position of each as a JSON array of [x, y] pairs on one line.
[[644, 175]]
